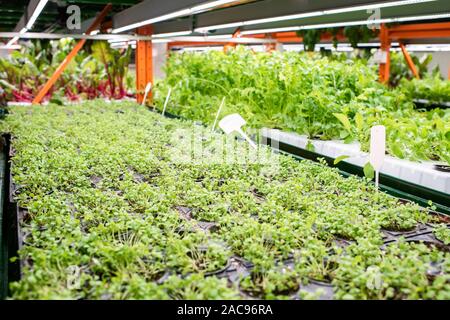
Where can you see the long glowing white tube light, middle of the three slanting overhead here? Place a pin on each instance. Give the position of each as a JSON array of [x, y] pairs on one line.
[[311, 14]]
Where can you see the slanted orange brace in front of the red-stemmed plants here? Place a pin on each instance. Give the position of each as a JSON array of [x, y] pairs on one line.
[[46, 88]]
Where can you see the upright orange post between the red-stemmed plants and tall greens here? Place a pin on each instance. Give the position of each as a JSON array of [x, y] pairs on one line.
[[144, 63]]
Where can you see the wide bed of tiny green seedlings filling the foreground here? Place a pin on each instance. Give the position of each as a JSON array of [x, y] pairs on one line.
[[114, 211]]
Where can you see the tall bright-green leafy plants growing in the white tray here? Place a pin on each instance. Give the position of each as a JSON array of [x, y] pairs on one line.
[[324, 98]]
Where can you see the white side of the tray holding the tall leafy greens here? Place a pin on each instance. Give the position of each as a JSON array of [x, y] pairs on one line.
[[420, 173]]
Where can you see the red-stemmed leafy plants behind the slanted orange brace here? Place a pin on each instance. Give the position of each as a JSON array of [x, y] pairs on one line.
[[97, 71]]
